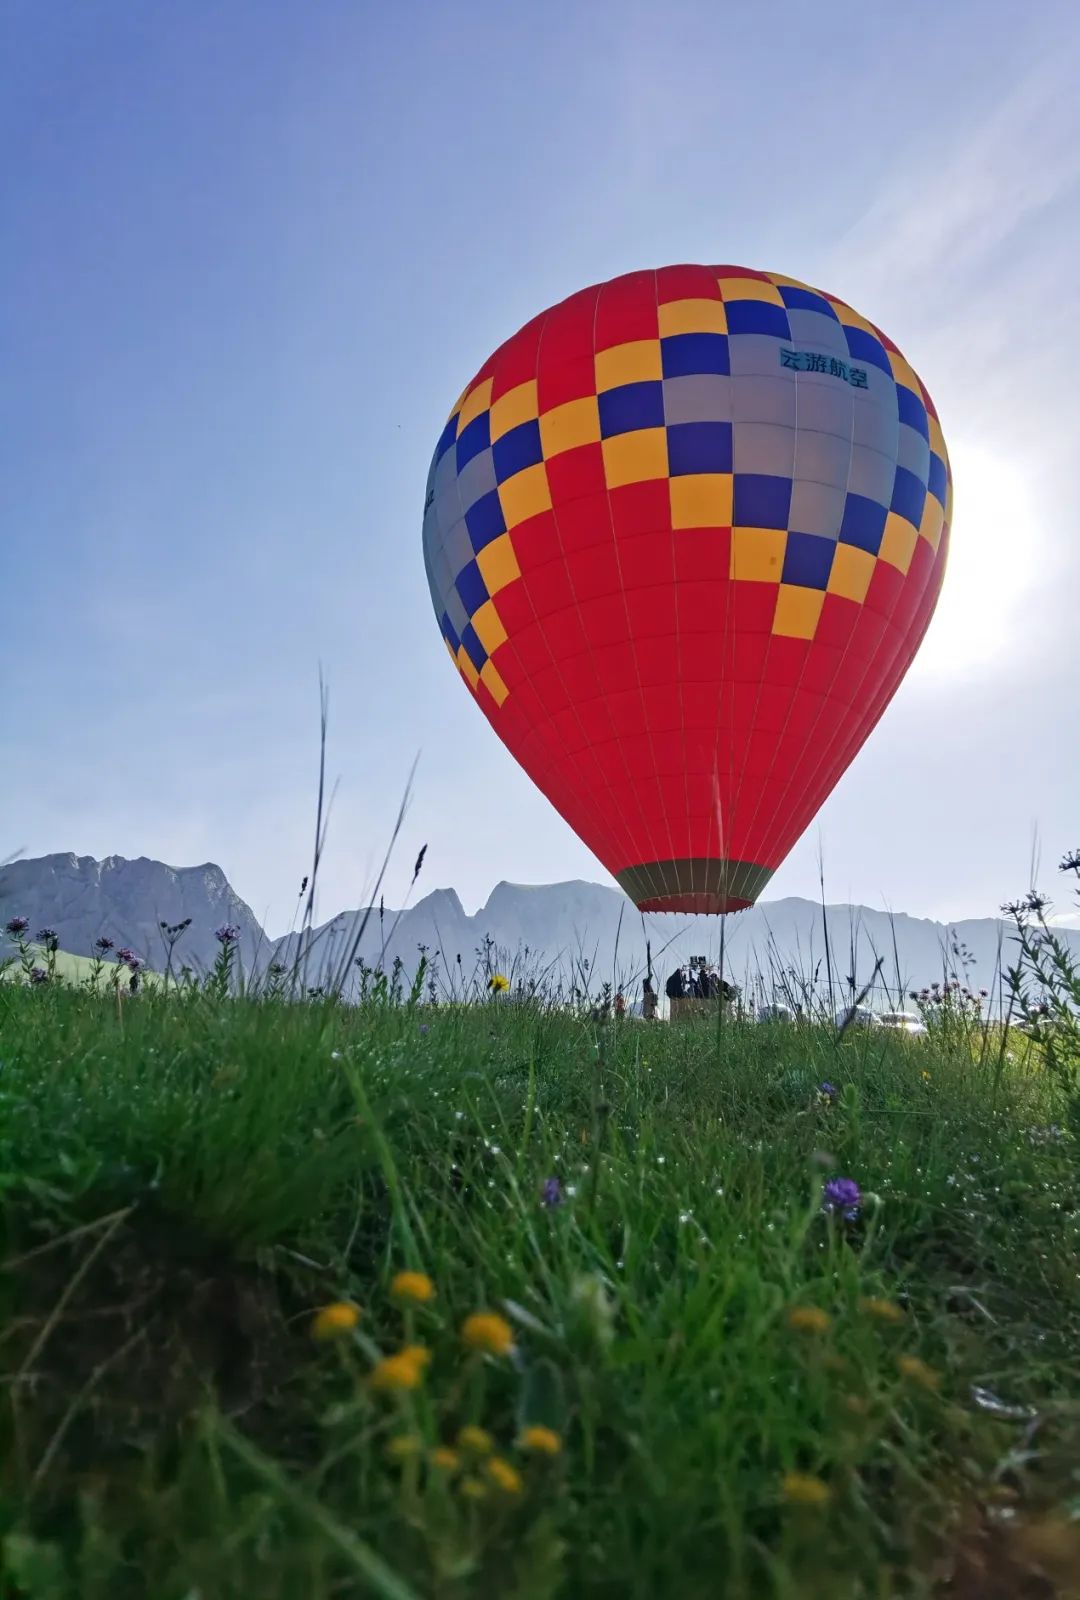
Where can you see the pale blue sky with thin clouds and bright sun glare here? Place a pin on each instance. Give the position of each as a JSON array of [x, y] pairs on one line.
[[252, 252]]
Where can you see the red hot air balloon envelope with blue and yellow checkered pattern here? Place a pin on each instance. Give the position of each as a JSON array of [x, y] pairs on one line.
[[684, 535]]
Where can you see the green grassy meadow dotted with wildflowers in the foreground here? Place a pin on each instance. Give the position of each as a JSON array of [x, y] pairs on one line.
[[692, 1378]]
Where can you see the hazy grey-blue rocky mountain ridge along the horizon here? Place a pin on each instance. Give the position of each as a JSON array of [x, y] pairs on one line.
[[566, 930]]
